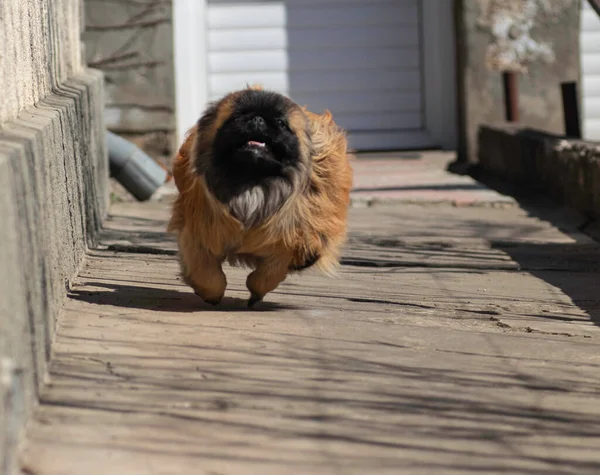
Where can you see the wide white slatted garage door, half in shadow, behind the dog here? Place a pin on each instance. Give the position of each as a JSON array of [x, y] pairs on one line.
[[358, 58]]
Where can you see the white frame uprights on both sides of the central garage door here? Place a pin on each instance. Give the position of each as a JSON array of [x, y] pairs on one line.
[[437, 52]]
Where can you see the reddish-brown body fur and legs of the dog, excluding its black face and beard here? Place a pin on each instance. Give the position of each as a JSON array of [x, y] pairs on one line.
[[308, 224]]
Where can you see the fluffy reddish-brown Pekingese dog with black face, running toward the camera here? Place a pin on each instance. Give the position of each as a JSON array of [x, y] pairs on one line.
[[263, 183]]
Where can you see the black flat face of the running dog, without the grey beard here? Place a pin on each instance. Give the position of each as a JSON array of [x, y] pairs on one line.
[[257, 140]]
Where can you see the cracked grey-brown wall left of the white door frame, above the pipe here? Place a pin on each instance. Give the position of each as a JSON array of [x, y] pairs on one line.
[[132, 43]]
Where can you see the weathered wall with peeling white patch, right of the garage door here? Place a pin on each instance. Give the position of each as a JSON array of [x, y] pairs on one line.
[[538, 39]]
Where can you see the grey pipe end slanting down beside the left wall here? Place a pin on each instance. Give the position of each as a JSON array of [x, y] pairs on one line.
[[132, 168]]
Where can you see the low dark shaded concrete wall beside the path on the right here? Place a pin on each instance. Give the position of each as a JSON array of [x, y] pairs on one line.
[[567, 170]]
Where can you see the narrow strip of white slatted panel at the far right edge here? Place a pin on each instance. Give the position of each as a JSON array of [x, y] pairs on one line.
[[590, 71]]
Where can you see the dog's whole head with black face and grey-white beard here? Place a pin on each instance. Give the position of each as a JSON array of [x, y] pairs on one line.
[[260, 153]]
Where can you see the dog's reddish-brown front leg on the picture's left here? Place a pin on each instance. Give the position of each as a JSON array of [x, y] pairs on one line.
[[202, 271]]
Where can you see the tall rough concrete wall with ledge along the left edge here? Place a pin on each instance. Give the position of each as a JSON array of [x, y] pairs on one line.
[[53, 191]]
